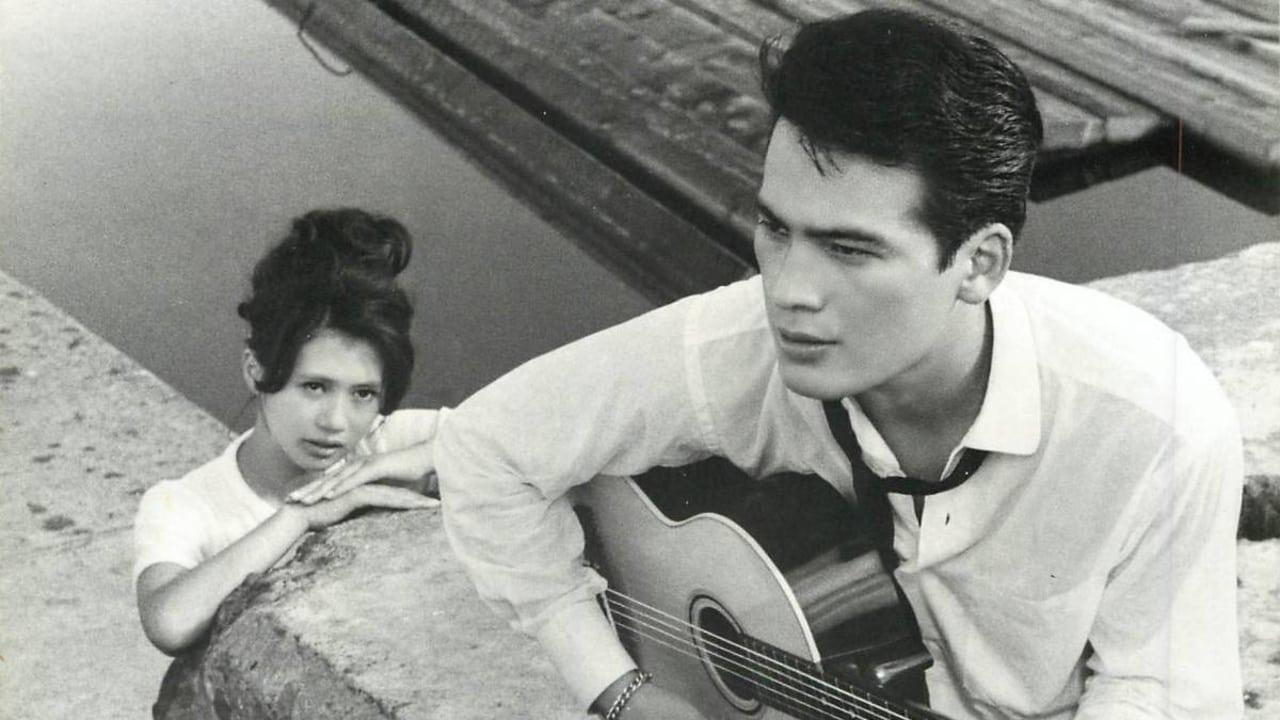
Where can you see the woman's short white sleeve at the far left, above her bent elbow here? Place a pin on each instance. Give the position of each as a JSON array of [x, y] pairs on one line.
[[168, 528]]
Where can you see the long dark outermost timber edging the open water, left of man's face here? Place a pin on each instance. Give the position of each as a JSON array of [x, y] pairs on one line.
[[656, 250]]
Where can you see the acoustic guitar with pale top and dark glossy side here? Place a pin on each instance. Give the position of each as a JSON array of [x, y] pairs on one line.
[[753, 599]]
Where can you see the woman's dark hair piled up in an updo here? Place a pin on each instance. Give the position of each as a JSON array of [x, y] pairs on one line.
[[335, 271]]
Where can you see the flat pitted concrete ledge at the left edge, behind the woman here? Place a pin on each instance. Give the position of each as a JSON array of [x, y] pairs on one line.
[[84, 431]]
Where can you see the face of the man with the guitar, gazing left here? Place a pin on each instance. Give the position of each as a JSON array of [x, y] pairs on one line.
[[852, 281]]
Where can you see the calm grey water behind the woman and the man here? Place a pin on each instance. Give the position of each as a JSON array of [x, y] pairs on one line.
[[149, 152]]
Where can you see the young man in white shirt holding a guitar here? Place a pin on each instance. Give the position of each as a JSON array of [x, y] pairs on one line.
[[1085, 571]]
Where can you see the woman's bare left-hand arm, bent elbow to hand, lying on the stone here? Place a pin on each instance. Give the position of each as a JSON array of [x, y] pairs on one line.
[[177, 605]]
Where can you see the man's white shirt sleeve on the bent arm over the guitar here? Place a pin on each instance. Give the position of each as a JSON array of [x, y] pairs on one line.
[[618, 403]]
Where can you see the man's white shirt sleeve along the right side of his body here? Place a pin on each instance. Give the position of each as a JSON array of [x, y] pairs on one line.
[[1165, 641]]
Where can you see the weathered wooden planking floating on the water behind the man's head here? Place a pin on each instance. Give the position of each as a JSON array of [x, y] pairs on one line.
[[638, 127]]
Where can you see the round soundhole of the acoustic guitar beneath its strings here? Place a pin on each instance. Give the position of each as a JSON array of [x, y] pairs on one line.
[[723, 654]]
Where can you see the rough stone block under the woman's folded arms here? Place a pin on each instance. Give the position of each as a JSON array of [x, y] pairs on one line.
[[372, 619]]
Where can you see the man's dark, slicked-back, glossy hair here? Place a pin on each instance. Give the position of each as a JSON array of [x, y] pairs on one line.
[[903, 90]]
